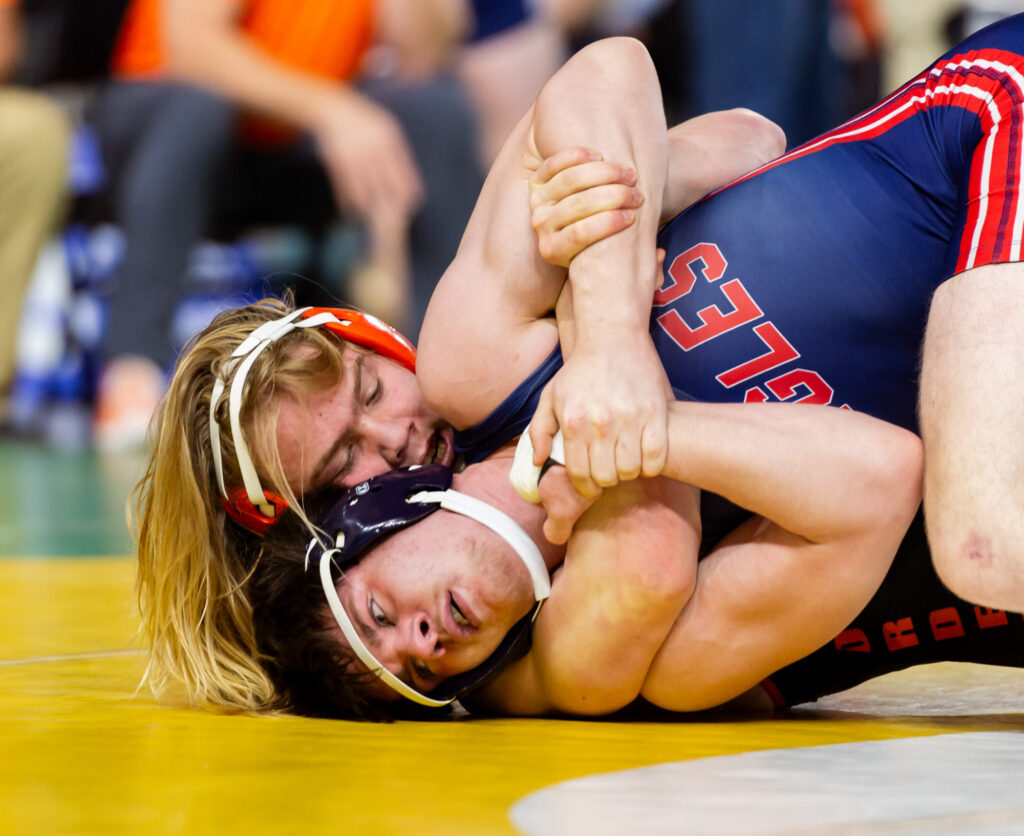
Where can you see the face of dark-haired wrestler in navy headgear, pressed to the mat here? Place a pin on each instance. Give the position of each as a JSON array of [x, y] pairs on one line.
[[436, 600]]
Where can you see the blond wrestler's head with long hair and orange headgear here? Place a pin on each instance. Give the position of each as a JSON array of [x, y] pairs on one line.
[[196, 527]]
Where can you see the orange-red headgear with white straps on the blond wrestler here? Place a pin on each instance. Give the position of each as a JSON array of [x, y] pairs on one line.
[[252, 507]]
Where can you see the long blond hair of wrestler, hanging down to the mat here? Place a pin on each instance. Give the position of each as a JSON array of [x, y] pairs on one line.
[[194, 563]]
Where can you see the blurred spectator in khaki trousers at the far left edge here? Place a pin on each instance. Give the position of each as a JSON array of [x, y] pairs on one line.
[[34, 139]]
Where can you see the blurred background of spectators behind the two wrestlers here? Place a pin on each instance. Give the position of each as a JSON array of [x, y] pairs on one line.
[[163, 159]]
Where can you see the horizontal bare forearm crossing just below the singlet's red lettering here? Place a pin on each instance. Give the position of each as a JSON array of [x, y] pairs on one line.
[[819, 472]]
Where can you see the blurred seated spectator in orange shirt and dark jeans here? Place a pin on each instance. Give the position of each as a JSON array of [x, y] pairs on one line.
[[399, 151]]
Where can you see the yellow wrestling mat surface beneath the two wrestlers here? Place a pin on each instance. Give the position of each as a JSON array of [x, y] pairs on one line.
[[82, 754]]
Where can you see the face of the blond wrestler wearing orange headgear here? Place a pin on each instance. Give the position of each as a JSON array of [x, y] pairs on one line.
[[372, 422]]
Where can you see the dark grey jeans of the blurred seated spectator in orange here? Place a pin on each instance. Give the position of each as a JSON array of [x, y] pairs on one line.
[[176, 170]]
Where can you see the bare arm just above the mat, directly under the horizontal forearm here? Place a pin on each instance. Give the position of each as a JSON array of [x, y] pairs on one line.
[[764, 599]]
